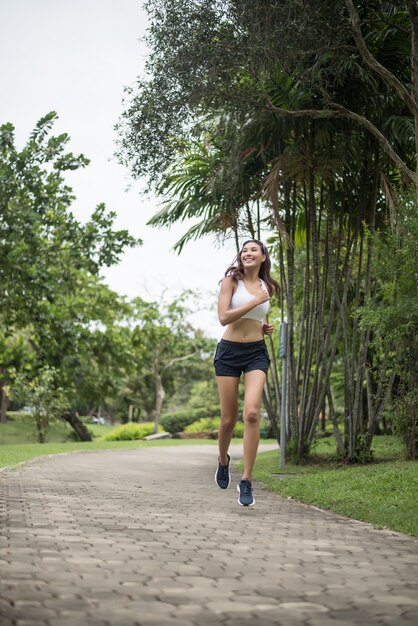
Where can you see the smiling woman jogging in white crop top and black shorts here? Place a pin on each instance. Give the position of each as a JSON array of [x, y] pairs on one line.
[[243, 306]]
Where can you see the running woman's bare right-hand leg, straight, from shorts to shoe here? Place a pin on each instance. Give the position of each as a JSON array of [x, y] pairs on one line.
[[253, 383]]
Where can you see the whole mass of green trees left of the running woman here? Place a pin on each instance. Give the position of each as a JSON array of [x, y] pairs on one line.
[[68, 343]]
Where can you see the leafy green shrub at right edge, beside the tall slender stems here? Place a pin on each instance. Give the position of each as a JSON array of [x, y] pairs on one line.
[[392, 318]]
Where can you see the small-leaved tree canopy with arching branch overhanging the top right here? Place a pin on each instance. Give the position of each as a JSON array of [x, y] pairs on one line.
[[222, 52]]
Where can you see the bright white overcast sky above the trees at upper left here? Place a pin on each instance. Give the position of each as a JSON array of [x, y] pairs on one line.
[[75, 57]]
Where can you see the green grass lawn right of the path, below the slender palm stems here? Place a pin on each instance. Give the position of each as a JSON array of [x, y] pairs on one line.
[[383, 493]]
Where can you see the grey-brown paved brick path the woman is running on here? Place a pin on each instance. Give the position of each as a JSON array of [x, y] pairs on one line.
[[145, 537]]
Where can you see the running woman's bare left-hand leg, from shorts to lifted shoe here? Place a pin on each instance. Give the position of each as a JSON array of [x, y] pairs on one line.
[[228, 398]]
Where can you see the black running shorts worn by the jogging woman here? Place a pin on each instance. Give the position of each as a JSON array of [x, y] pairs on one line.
[[234, 357]]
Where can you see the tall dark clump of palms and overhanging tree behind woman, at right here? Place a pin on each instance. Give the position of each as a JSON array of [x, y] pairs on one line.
[[298, 118]]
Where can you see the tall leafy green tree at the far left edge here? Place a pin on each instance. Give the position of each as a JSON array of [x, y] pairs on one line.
[[49, 262]]
